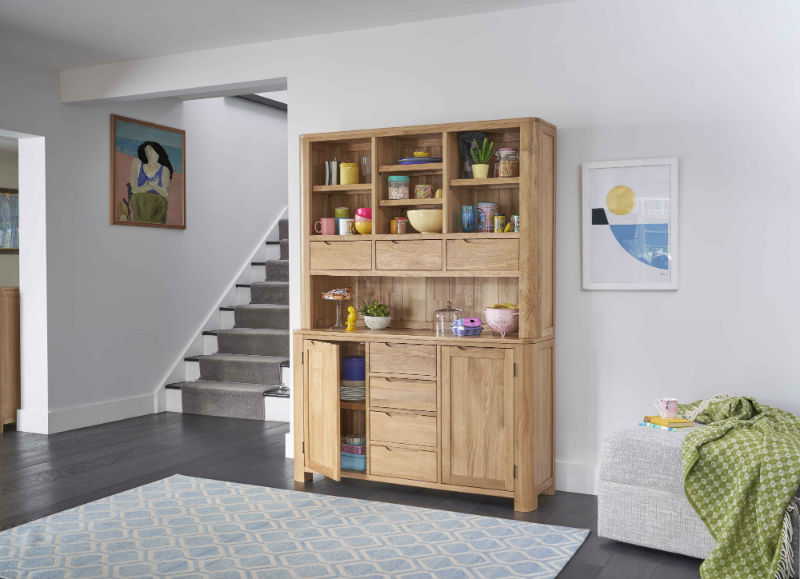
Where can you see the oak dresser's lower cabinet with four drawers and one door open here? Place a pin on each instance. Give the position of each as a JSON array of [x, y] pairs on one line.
[[438, 414]]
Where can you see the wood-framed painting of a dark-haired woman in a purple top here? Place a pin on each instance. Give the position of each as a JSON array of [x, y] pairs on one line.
[[148, 174]]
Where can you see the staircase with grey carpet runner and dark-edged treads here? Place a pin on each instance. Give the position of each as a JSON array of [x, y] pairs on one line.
[[247, 366]]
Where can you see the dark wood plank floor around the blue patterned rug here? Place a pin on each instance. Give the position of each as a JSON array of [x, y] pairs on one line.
[[41, 475]]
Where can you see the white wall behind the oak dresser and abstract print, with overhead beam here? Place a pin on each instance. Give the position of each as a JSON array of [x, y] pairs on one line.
[[712, 82]]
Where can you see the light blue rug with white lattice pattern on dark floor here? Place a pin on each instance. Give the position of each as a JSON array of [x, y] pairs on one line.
[[193, 528]]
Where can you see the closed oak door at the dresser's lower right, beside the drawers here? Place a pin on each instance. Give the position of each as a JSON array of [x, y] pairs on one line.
[[478, 417]]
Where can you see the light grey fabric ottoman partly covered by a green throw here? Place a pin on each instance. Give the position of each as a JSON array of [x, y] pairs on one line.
[[641, 498]]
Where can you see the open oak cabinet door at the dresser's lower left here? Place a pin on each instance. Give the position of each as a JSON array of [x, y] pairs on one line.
[[322, 429]]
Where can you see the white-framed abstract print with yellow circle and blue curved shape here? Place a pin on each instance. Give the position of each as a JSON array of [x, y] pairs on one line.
[[630, 224]]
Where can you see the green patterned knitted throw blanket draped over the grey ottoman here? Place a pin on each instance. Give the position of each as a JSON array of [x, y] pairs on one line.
[[741, 474]]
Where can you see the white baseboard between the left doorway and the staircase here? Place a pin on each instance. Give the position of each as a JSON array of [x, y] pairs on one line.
[[60, 420]]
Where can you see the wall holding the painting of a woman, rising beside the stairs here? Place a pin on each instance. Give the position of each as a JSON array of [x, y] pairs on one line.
[[124, 301]]
